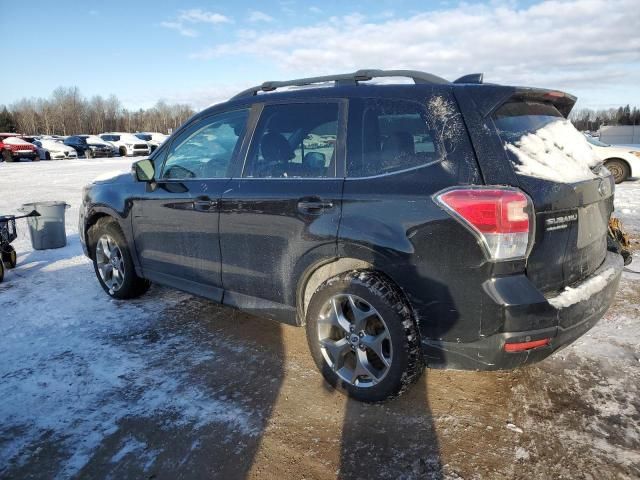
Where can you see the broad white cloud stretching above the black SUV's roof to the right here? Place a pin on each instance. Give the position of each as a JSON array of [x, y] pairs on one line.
[[553, 43]]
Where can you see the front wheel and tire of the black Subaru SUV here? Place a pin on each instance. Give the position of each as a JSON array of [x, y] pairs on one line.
[[112, 261]]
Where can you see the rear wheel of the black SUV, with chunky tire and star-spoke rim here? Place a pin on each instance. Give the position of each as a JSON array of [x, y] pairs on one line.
[[362, 336]]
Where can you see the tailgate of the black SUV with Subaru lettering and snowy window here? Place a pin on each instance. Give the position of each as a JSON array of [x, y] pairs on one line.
[[572, 194]]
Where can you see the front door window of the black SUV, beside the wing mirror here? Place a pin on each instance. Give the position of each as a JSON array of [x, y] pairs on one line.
[[206, 150]]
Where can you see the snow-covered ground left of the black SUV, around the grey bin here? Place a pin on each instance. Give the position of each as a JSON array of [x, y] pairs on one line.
[[75, 364]]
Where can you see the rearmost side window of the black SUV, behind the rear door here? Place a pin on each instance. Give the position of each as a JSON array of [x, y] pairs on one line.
[[395, 136]]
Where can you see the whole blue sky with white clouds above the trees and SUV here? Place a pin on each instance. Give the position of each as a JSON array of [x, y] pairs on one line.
[[202, 52]]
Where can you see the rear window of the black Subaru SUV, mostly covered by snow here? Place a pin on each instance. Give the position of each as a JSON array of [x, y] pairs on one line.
[[543, 144]]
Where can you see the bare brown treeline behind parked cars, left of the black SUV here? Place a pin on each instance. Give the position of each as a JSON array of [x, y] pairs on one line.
[[67, 112]]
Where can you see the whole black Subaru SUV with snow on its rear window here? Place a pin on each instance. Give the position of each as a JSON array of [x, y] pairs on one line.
[[457, 225]]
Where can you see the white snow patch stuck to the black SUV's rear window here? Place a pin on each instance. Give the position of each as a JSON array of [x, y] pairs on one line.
[[556, 152]]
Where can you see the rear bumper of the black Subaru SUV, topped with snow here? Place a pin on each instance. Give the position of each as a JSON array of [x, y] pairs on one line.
[[560, 325]]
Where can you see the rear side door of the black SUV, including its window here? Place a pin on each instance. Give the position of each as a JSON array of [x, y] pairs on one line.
[[282, 212]]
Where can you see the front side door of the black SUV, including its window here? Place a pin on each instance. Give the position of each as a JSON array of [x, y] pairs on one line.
[[176, 224]]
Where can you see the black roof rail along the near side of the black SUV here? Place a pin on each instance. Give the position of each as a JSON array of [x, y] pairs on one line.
[[344, 79]]
